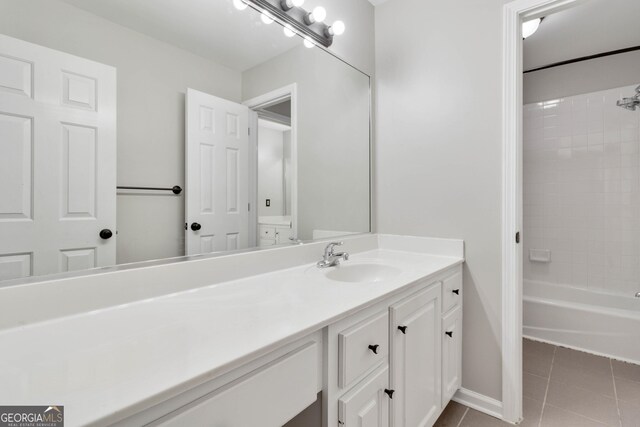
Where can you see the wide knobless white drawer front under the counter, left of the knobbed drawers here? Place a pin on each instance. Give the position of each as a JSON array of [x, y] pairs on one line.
[[268, 396]]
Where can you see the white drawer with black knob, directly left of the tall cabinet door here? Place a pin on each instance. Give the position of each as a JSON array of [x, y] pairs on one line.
[[362, 347]]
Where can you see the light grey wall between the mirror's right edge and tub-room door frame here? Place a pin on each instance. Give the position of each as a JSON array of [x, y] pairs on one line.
[[438, 150]]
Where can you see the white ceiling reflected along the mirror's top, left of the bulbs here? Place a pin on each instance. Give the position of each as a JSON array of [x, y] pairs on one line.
[[211, 29]]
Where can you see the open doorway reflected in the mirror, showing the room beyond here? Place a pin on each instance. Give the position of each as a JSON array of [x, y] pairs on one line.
[[274, 174]]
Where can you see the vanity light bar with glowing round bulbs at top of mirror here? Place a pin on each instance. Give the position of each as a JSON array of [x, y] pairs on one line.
[[296, 20]]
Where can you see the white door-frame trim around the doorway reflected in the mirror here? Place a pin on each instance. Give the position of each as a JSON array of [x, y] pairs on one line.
[[290, 91]]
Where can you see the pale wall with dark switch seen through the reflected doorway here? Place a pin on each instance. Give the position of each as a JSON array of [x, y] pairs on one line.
[[270, 171]]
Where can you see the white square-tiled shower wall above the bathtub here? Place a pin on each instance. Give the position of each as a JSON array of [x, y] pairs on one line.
[[581, 166]]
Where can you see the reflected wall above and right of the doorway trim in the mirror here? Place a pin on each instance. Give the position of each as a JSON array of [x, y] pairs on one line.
[[332, 136]]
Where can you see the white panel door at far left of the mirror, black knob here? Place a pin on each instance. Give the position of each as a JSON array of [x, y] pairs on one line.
[[57, 161]]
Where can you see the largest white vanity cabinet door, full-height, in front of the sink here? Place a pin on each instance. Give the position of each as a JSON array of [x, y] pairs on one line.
[[415, 359]]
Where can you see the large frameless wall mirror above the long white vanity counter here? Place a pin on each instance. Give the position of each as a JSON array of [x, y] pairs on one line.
[[137, 130]]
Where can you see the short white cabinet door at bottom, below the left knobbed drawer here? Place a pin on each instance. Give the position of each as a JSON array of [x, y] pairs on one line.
[[367, 404]]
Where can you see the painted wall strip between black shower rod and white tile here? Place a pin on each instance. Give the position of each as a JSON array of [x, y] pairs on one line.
[[582, 77]]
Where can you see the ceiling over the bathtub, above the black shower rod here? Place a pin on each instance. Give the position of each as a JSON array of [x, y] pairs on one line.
[[593, 27]]
